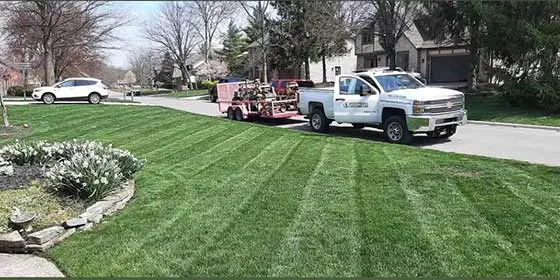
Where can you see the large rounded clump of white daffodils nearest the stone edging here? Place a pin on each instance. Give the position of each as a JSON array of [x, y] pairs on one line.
[[89, 177]]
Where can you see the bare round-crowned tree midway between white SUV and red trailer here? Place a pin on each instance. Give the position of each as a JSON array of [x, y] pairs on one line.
[[173, 33]]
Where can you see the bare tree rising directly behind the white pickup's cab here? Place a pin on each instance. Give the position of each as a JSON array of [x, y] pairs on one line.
[[391, 19]]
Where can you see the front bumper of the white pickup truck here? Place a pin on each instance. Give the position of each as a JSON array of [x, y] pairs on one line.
[[427, 123]]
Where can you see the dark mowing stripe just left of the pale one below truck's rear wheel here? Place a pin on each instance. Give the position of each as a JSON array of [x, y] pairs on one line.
[[249, 246]]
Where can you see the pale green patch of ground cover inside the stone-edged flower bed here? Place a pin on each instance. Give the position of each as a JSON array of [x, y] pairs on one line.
[[34, 198]]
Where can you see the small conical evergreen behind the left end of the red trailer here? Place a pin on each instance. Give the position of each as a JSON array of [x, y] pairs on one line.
[[234, 47]]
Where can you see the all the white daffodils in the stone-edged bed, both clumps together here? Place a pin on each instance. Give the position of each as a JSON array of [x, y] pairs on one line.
[[84, 169]]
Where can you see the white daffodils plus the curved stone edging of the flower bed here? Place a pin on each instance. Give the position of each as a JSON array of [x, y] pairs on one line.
[[88, 172]]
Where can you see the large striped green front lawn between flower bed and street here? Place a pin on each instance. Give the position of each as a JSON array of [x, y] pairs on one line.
[[224, 198]]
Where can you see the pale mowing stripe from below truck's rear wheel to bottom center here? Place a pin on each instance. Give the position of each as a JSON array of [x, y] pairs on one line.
[[326, 229]]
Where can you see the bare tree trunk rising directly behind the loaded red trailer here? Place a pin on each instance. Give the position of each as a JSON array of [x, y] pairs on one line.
[[259, 15]]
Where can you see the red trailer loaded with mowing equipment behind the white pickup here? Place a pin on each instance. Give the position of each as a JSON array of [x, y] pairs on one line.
[[238, 105]]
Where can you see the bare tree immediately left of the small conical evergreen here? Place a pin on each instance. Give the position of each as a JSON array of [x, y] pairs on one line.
[[208, 16]]
